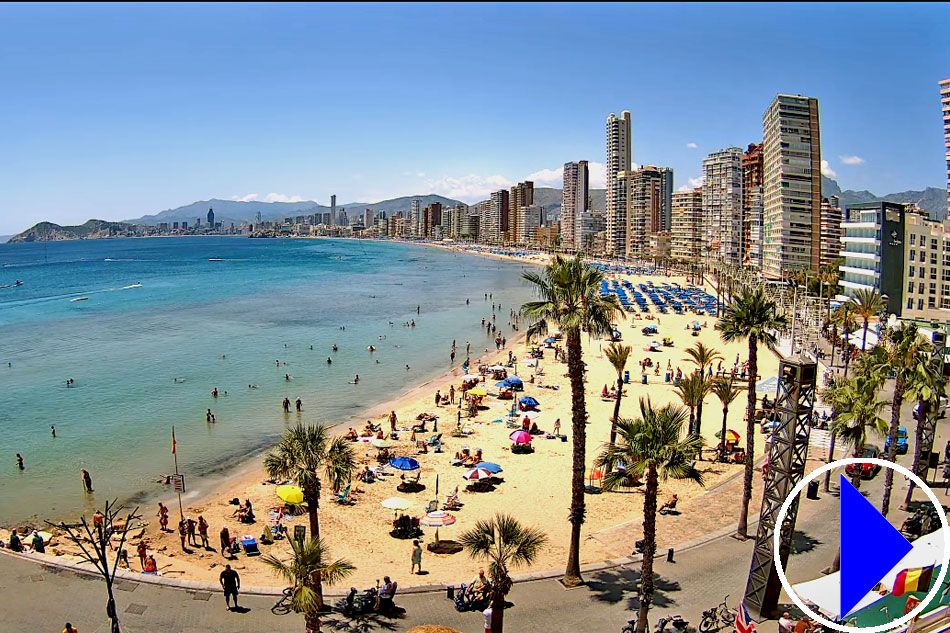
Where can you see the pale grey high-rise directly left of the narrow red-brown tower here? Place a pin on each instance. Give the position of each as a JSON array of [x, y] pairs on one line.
[[722, 204]]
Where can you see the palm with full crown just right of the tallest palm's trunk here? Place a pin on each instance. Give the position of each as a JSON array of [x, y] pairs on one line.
[[651, 446]]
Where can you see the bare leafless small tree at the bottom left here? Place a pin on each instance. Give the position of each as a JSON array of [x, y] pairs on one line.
[[95, 544]]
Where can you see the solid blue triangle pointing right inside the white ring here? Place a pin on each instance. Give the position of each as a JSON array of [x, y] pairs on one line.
[[870, 547]]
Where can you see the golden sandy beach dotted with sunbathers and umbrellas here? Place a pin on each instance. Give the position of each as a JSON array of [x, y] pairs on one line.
[[535, 487]]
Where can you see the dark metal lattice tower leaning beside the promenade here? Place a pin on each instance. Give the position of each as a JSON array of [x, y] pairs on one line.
[[786, 467]]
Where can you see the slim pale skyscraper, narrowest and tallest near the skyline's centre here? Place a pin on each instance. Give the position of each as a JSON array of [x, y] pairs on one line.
[[619, 151]]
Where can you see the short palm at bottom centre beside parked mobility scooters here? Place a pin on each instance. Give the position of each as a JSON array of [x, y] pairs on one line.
[[502, 542]]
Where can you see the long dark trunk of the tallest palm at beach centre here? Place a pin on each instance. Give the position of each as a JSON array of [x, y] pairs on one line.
[[575, 369]]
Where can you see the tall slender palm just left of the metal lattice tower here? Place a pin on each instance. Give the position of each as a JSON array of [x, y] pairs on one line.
[[755, 318]]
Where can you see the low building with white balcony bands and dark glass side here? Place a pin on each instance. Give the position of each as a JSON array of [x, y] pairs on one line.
[[872, 251]]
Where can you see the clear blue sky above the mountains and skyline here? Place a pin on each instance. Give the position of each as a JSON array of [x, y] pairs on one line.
[[114, 111]]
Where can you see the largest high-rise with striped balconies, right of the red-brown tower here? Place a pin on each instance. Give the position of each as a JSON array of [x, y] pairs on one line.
[[792, 191]]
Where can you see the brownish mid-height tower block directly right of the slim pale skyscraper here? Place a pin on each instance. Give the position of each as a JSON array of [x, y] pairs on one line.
[[645, 197]]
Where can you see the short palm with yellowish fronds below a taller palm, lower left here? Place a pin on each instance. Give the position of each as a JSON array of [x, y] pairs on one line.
[[305, 571]]
